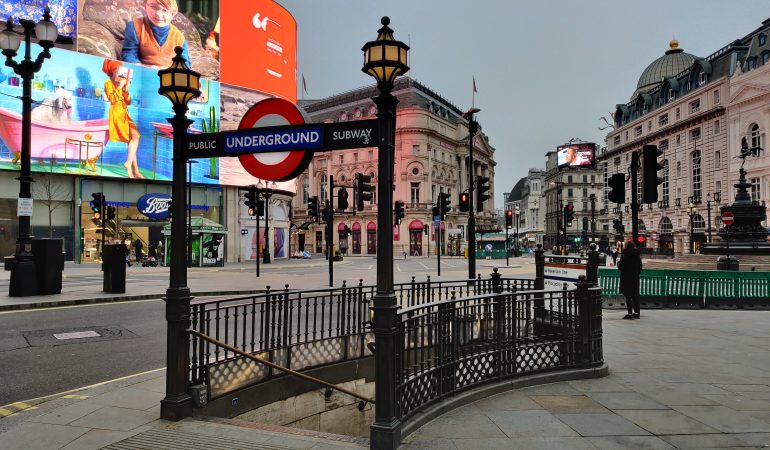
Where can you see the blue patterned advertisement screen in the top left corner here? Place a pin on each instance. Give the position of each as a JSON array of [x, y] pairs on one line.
[[63, 13]]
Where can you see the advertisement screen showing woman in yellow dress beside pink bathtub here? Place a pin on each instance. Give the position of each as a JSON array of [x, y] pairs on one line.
[[100, 117]]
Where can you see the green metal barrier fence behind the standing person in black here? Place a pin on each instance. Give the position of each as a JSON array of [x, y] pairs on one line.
[[671, 288]]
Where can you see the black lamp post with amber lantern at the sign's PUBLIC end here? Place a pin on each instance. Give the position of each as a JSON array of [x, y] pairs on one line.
[[180, 85]]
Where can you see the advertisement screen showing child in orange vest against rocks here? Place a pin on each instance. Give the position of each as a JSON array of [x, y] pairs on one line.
[[146, 31]]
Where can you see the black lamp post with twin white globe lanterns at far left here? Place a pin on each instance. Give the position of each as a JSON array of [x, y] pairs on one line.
[[23, 272]]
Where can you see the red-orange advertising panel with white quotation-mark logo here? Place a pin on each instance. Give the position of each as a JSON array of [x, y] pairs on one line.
[[259, 47]]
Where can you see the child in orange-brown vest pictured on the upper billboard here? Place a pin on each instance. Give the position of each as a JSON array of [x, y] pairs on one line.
[[150, 40]]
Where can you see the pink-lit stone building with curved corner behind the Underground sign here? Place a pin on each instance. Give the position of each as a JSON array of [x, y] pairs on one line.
[[431, 157]]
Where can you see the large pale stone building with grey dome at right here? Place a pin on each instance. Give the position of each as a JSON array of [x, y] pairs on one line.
[[681, 105]]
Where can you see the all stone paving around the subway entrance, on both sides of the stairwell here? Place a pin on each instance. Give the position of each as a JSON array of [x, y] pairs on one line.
[[678, 379]]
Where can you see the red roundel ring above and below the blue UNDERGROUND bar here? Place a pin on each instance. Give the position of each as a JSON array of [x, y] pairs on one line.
[[279, 166]]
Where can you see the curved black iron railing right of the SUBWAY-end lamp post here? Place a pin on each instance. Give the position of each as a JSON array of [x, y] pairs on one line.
[[449, 346]]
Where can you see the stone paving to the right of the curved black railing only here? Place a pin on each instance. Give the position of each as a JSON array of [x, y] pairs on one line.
[[678, 379]]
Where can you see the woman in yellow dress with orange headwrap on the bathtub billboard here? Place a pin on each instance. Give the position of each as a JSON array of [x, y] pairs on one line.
[[122, 127]]
